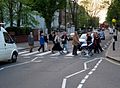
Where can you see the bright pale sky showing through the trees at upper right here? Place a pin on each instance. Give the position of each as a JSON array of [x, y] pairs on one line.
[[95, 4]]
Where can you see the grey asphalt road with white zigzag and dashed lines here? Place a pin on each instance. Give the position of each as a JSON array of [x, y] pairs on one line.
[[60, 71]]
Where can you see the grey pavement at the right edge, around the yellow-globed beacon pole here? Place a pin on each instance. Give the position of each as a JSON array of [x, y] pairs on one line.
[[114, 55]]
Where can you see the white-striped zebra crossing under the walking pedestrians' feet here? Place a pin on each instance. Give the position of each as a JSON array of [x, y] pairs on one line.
[[47, 53]]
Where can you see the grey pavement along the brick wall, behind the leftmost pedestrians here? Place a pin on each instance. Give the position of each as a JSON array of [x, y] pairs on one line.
[[22, 46]]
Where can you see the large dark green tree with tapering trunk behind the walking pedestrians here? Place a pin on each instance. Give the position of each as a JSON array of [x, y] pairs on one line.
[[46, 8]]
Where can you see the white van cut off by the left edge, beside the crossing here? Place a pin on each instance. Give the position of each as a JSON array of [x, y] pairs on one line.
[[8, 49]]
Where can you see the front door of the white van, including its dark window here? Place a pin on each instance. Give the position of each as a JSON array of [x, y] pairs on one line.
[[9, 45]]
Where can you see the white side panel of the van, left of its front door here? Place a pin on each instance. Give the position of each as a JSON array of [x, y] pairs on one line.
[[2, 48]]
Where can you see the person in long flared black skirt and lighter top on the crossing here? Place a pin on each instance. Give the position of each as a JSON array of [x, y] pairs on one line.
[[57, 46]]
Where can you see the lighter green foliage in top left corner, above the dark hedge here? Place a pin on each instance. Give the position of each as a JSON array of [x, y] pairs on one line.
[[14, 13]]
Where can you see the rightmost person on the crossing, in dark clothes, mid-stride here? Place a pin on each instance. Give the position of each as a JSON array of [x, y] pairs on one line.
[[96, 43]]
